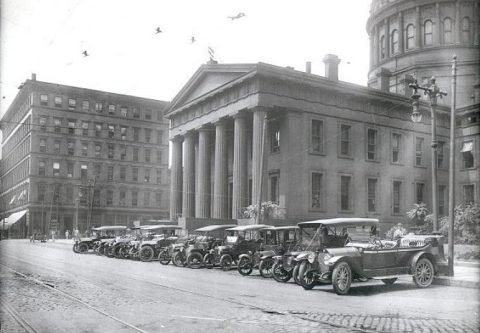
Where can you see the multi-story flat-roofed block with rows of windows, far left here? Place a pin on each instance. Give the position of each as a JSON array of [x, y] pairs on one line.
[[71, 152]]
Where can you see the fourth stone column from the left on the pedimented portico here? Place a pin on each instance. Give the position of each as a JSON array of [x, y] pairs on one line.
[[220, 183]]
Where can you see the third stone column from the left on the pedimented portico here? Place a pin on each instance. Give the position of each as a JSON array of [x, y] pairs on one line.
[[202, 202]]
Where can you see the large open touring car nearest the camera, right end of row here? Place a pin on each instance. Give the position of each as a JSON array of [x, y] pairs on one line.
[[364, 256]]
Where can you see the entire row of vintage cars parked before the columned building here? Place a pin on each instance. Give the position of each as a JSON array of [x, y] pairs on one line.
[[330, 251]]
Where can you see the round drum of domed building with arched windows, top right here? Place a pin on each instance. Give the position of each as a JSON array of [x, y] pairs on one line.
[[417, 39]]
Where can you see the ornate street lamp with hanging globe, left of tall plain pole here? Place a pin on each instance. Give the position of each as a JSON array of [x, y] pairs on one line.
[[433, 92]]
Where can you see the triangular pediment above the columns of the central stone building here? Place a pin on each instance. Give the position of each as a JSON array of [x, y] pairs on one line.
[[207, 79]]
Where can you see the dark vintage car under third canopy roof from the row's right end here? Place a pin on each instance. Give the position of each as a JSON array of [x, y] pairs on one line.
[[241, 240]]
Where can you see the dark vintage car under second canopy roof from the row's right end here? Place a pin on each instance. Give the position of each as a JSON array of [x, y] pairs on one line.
[[276, 241]]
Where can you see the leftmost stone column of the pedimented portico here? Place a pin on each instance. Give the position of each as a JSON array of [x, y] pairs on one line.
[[176, 179]]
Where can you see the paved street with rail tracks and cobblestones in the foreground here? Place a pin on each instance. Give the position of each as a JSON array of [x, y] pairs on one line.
[[48, 288]]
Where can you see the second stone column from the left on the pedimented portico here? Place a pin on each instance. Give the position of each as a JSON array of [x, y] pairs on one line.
[[188, 201]]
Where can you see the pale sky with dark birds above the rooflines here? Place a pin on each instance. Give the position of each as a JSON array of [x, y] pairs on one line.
[[126, 56]]
